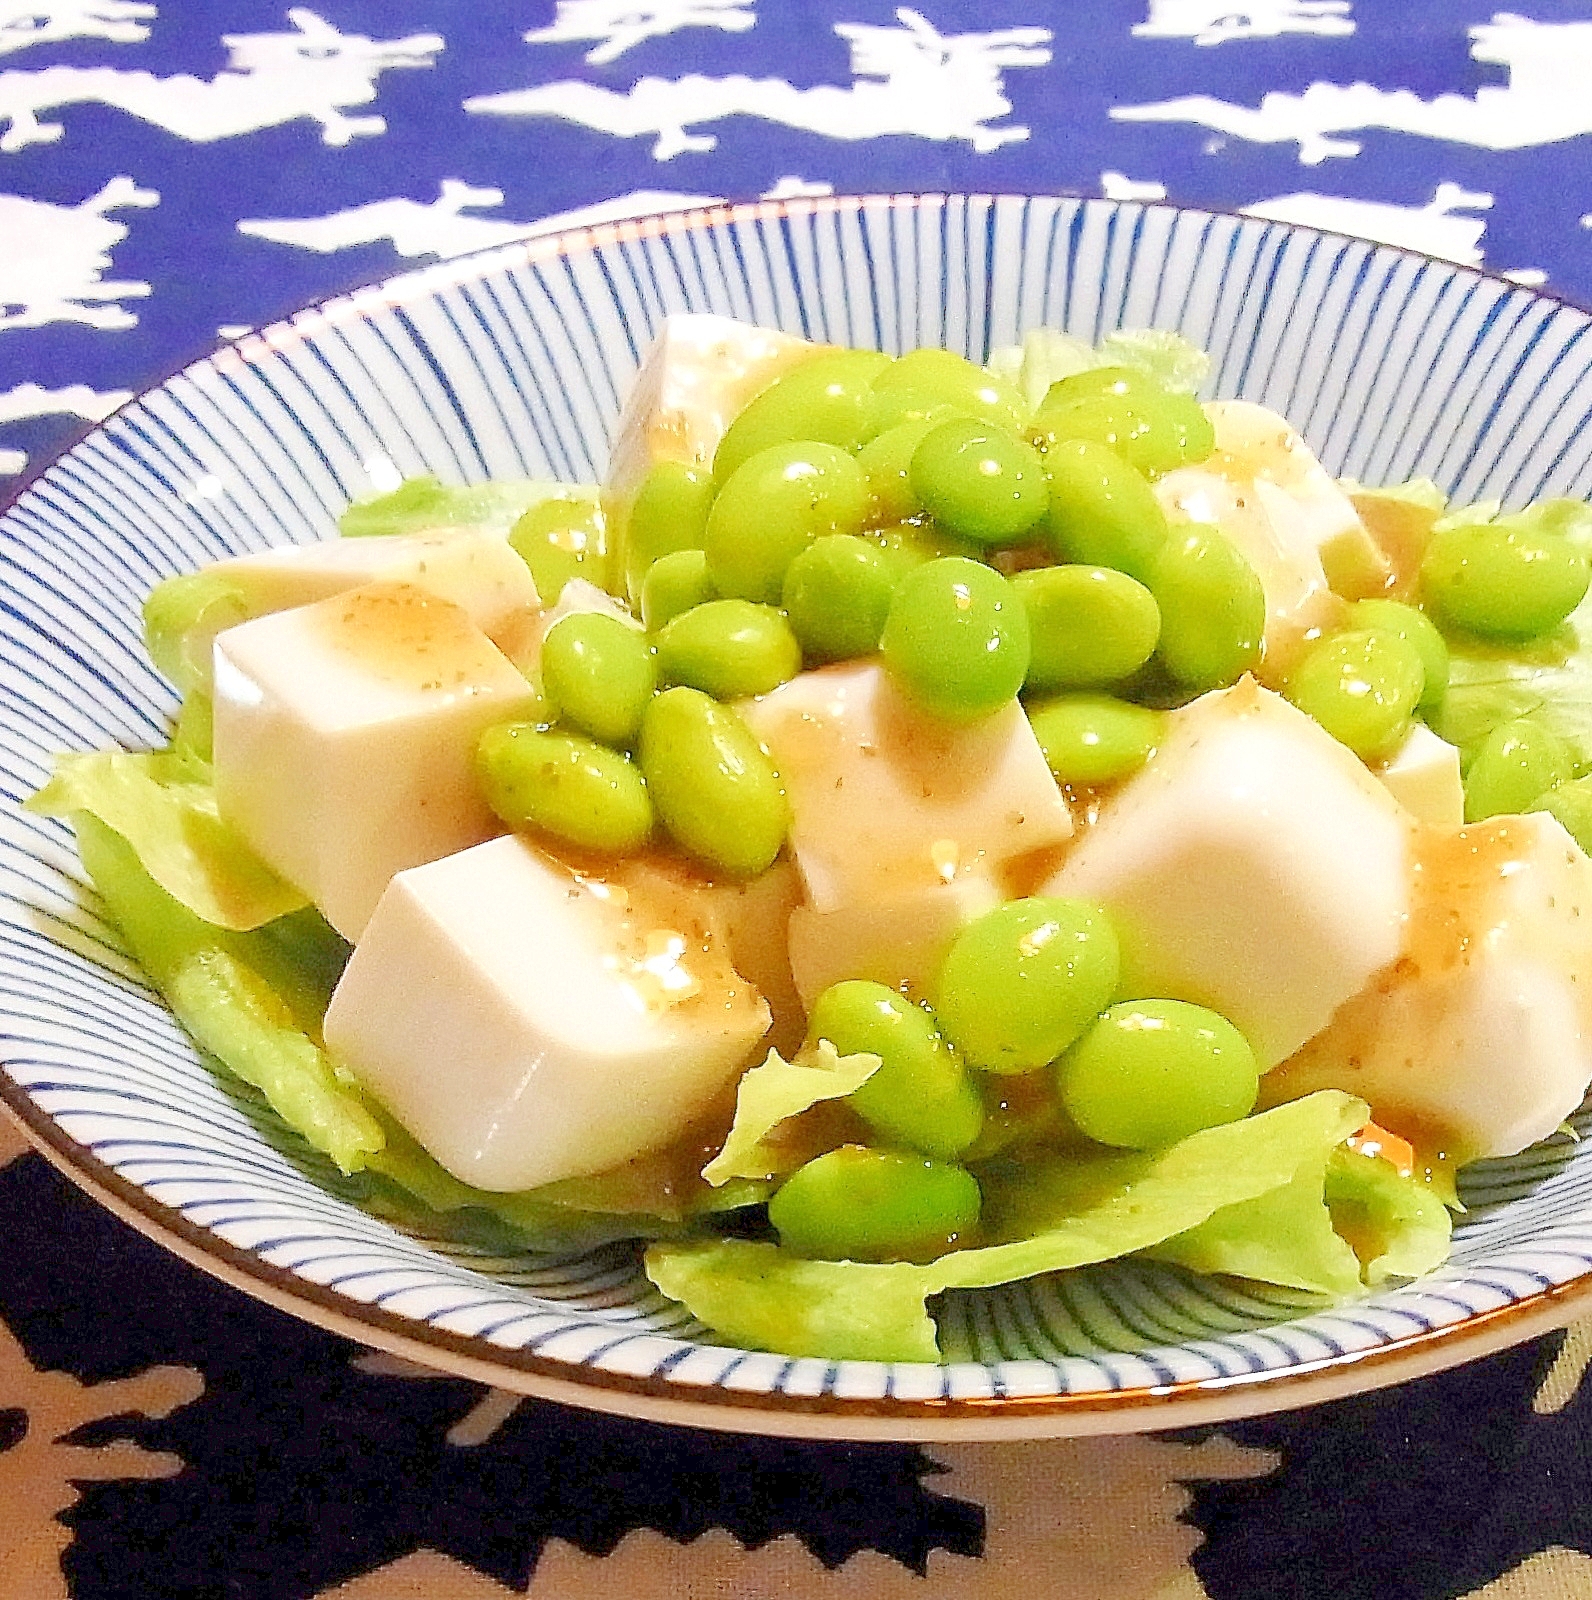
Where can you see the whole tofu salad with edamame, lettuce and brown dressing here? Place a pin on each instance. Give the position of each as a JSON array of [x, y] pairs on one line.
[[918, 826]]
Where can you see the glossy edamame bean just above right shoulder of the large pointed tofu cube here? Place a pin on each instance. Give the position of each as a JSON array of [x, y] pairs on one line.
[[1362, 687]]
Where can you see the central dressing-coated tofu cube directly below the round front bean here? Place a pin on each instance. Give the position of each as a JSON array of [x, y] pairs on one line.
[[887, 799]]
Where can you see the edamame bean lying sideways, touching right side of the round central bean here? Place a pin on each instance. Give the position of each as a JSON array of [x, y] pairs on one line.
[[1089, 626]]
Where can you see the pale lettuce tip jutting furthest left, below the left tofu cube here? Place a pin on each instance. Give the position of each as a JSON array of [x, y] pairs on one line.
[[166, 809]]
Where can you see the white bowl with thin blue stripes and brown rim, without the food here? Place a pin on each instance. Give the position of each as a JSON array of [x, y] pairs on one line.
[[513, 364]]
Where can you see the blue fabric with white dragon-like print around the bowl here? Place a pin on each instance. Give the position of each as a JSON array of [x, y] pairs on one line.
[[178, 172]]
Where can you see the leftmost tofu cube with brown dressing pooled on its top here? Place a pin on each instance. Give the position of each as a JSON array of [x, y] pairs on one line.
[[345, 738]]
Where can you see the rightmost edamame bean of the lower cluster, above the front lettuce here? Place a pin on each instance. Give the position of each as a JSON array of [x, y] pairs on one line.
[[1151, 1073]]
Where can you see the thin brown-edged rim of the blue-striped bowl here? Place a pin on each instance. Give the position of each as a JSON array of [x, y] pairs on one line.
[[663, 1398]]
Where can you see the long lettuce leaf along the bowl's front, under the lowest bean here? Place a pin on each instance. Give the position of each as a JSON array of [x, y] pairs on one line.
[[1042, 1218]]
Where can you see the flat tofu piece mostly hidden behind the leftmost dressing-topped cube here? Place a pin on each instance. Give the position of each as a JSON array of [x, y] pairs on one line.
[[476, 570]]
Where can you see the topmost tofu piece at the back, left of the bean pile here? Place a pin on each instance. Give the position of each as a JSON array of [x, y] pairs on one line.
[[697, 378]]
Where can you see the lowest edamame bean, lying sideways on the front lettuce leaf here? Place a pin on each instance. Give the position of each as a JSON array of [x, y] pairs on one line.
[[855, 1204]]
